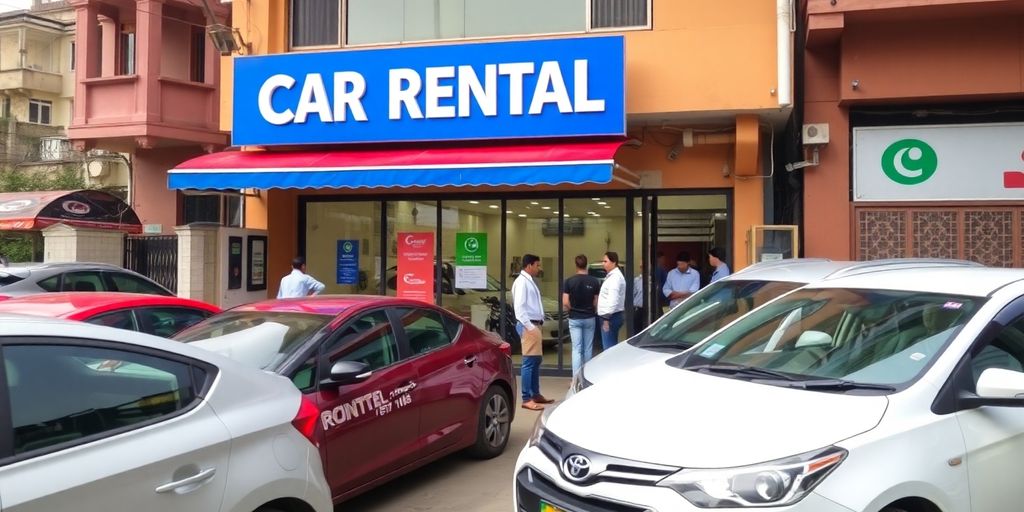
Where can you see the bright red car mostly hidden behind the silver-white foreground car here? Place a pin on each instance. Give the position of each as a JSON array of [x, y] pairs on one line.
[[154, 315]]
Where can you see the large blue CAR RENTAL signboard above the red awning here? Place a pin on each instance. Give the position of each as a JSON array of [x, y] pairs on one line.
[[541, 89]]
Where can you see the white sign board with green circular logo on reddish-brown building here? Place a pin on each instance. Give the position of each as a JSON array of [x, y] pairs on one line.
[[980, 162]]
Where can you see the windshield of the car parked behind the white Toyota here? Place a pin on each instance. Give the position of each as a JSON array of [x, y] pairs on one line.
[[710, 310]]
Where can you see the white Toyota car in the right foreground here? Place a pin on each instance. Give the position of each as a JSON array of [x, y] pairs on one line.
[[893, 391]]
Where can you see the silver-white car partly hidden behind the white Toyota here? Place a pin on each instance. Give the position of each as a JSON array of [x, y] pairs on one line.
[[724, 302]]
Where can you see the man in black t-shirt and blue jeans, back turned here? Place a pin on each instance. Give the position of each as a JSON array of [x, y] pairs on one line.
[[580, 300]]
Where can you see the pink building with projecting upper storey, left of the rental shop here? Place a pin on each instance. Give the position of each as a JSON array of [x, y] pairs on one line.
[[147, 86]]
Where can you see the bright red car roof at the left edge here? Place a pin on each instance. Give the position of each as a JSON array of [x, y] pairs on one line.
[[63, 305]]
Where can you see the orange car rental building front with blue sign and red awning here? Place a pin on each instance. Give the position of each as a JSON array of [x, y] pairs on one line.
[[702, 93]]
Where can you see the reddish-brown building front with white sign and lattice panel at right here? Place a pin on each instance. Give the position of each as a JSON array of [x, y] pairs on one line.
[[922, 102]]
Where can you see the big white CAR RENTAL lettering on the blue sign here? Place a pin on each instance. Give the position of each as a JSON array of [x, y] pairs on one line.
[[447, 93]]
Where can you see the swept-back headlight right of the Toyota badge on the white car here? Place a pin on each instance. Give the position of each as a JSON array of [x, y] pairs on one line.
[[770, 485]]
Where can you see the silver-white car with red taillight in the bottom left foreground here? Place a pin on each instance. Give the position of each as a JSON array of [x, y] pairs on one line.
[[102, 419]]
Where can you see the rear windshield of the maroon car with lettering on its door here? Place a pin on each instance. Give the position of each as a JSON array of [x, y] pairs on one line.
[[261, 339]]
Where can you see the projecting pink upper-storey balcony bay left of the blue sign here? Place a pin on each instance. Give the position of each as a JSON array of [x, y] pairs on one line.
[[154, 88]]
